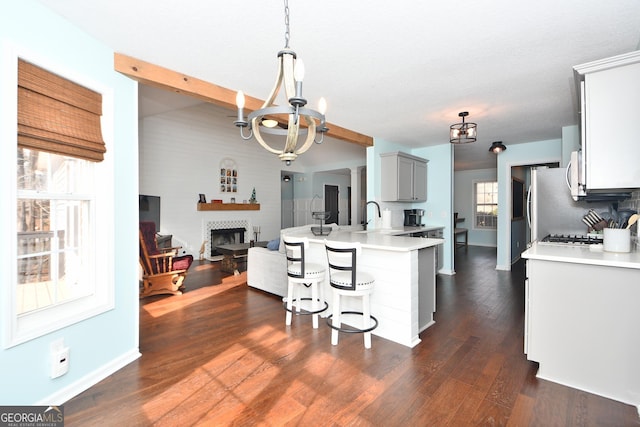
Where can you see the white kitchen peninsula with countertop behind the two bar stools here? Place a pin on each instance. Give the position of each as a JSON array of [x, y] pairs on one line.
[[404, 268]]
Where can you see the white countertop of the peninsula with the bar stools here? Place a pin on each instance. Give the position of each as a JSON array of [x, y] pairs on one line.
[[382, 239]]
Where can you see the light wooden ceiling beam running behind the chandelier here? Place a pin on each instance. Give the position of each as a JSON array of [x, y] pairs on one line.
[[163, 78]]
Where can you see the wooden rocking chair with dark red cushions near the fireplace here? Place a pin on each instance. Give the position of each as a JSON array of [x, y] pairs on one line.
[[163, 271]]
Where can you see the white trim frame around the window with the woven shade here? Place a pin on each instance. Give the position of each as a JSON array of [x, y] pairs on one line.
[[22, 328]]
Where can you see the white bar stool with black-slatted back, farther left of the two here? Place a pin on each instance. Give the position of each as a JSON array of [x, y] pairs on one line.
[[307, 274]]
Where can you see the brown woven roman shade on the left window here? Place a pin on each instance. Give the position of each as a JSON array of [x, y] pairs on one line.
[[57, 115]]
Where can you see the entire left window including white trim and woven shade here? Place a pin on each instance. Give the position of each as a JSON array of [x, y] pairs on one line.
[[59, 186]]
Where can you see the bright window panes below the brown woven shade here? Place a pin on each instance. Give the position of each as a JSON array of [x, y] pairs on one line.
[[54, 235]]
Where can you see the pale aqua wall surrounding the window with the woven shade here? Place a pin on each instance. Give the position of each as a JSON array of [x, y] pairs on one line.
[[107, 341]]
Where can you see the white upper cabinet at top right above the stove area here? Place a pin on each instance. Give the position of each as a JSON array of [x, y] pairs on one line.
[[610, 135]]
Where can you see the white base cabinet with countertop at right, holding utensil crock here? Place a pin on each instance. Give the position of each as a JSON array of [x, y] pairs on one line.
[[582, 318]]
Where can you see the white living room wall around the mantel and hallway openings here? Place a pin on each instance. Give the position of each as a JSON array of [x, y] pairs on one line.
[[180, 154]]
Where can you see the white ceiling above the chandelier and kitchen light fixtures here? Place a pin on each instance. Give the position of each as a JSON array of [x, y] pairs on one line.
[[400, 71]]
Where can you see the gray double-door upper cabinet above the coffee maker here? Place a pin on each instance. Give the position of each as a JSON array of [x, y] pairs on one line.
[[404, 177]]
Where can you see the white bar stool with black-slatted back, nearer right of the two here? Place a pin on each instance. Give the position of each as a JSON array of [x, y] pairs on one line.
[[346, 280]]
